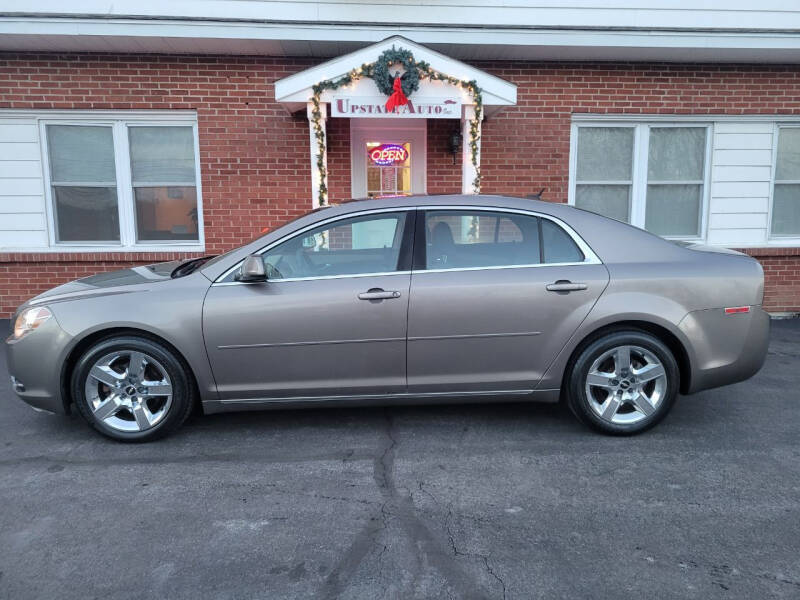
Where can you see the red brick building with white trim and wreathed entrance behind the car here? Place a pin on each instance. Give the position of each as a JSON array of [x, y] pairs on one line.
[[143, 152]]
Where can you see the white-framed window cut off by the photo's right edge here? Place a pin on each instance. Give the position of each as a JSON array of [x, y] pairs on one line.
[[786, 191]]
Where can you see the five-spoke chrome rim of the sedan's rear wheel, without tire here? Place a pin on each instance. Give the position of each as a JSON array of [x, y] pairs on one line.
[[626, 384]]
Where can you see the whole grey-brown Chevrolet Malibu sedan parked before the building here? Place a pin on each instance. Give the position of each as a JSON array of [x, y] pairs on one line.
[[393, 301]]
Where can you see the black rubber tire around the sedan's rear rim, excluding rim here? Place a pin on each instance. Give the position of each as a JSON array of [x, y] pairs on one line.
[[576, 394]]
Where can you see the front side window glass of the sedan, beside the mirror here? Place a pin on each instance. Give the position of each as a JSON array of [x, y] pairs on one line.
[[360, 245]]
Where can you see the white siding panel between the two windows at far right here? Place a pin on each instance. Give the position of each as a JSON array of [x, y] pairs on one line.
[[741, 174]]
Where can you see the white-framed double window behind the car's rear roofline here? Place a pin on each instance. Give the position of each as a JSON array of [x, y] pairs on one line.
[[650, 175]]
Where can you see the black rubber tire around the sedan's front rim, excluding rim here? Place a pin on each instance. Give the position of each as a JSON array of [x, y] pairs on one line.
[[183, 394]]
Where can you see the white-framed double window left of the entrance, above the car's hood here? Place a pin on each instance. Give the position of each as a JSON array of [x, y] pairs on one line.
[[124, 182]]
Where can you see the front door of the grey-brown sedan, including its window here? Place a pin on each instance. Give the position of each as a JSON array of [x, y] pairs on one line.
[[329, 321]]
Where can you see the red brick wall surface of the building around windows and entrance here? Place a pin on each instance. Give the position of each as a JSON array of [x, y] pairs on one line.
[[254, 156]]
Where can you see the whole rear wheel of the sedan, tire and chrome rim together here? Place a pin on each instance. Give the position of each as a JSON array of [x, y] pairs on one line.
[[623, 382]]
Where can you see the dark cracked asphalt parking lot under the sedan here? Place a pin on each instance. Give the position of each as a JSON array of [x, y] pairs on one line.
[[476, 501]]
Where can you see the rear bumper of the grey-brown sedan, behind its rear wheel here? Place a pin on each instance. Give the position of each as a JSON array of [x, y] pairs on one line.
[[726, 348]]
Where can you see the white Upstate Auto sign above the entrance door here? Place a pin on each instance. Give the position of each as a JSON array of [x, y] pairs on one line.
[[375, 106]]
